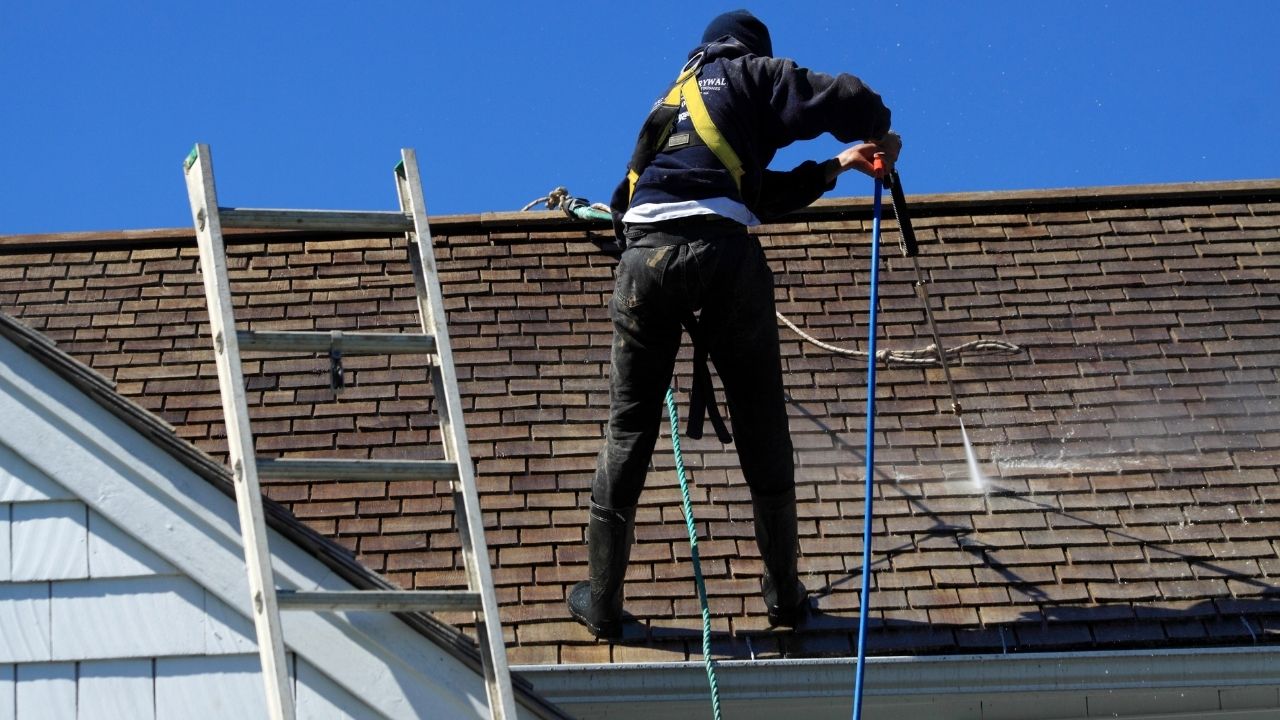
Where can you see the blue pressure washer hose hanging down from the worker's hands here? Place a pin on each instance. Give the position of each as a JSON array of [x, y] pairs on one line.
[[865, 600]]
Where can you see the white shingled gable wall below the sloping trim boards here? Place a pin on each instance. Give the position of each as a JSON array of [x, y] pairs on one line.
[[95, 626]]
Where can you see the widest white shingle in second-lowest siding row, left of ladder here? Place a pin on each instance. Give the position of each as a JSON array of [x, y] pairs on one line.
[[129, 618]]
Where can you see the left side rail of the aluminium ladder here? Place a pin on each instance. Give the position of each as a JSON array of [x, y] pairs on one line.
[[249, 502]]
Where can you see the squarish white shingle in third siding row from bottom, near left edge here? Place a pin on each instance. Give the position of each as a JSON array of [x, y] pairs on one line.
[[51, 541]]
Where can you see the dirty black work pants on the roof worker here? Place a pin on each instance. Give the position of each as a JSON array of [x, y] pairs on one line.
[[720, 271]]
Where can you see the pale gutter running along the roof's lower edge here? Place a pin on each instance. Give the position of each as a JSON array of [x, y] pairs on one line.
[[894, 680]]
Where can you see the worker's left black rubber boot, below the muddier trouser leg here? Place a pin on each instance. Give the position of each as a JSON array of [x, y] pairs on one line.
[[597, 603]]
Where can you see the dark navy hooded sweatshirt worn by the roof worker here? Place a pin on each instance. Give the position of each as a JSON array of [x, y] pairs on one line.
[[760, 104]]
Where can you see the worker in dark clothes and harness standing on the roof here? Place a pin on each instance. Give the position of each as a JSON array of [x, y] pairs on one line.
[[697, 181]]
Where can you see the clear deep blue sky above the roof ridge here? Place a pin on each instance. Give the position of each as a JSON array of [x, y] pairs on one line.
[[308, 104]]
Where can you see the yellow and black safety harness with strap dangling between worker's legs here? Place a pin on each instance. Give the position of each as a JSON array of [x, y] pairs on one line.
[[657, 136]]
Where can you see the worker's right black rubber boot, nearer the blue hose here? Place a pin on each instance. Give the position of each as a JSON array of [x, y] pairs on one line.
[[785, 596]]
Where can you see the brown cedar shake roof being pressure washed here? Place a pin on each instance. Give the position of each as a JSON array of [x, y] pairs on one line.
[[1132, 449]]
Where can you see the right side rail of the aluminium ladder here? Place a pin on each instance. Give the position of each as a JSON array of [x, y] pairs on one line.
[[502, 705]]
